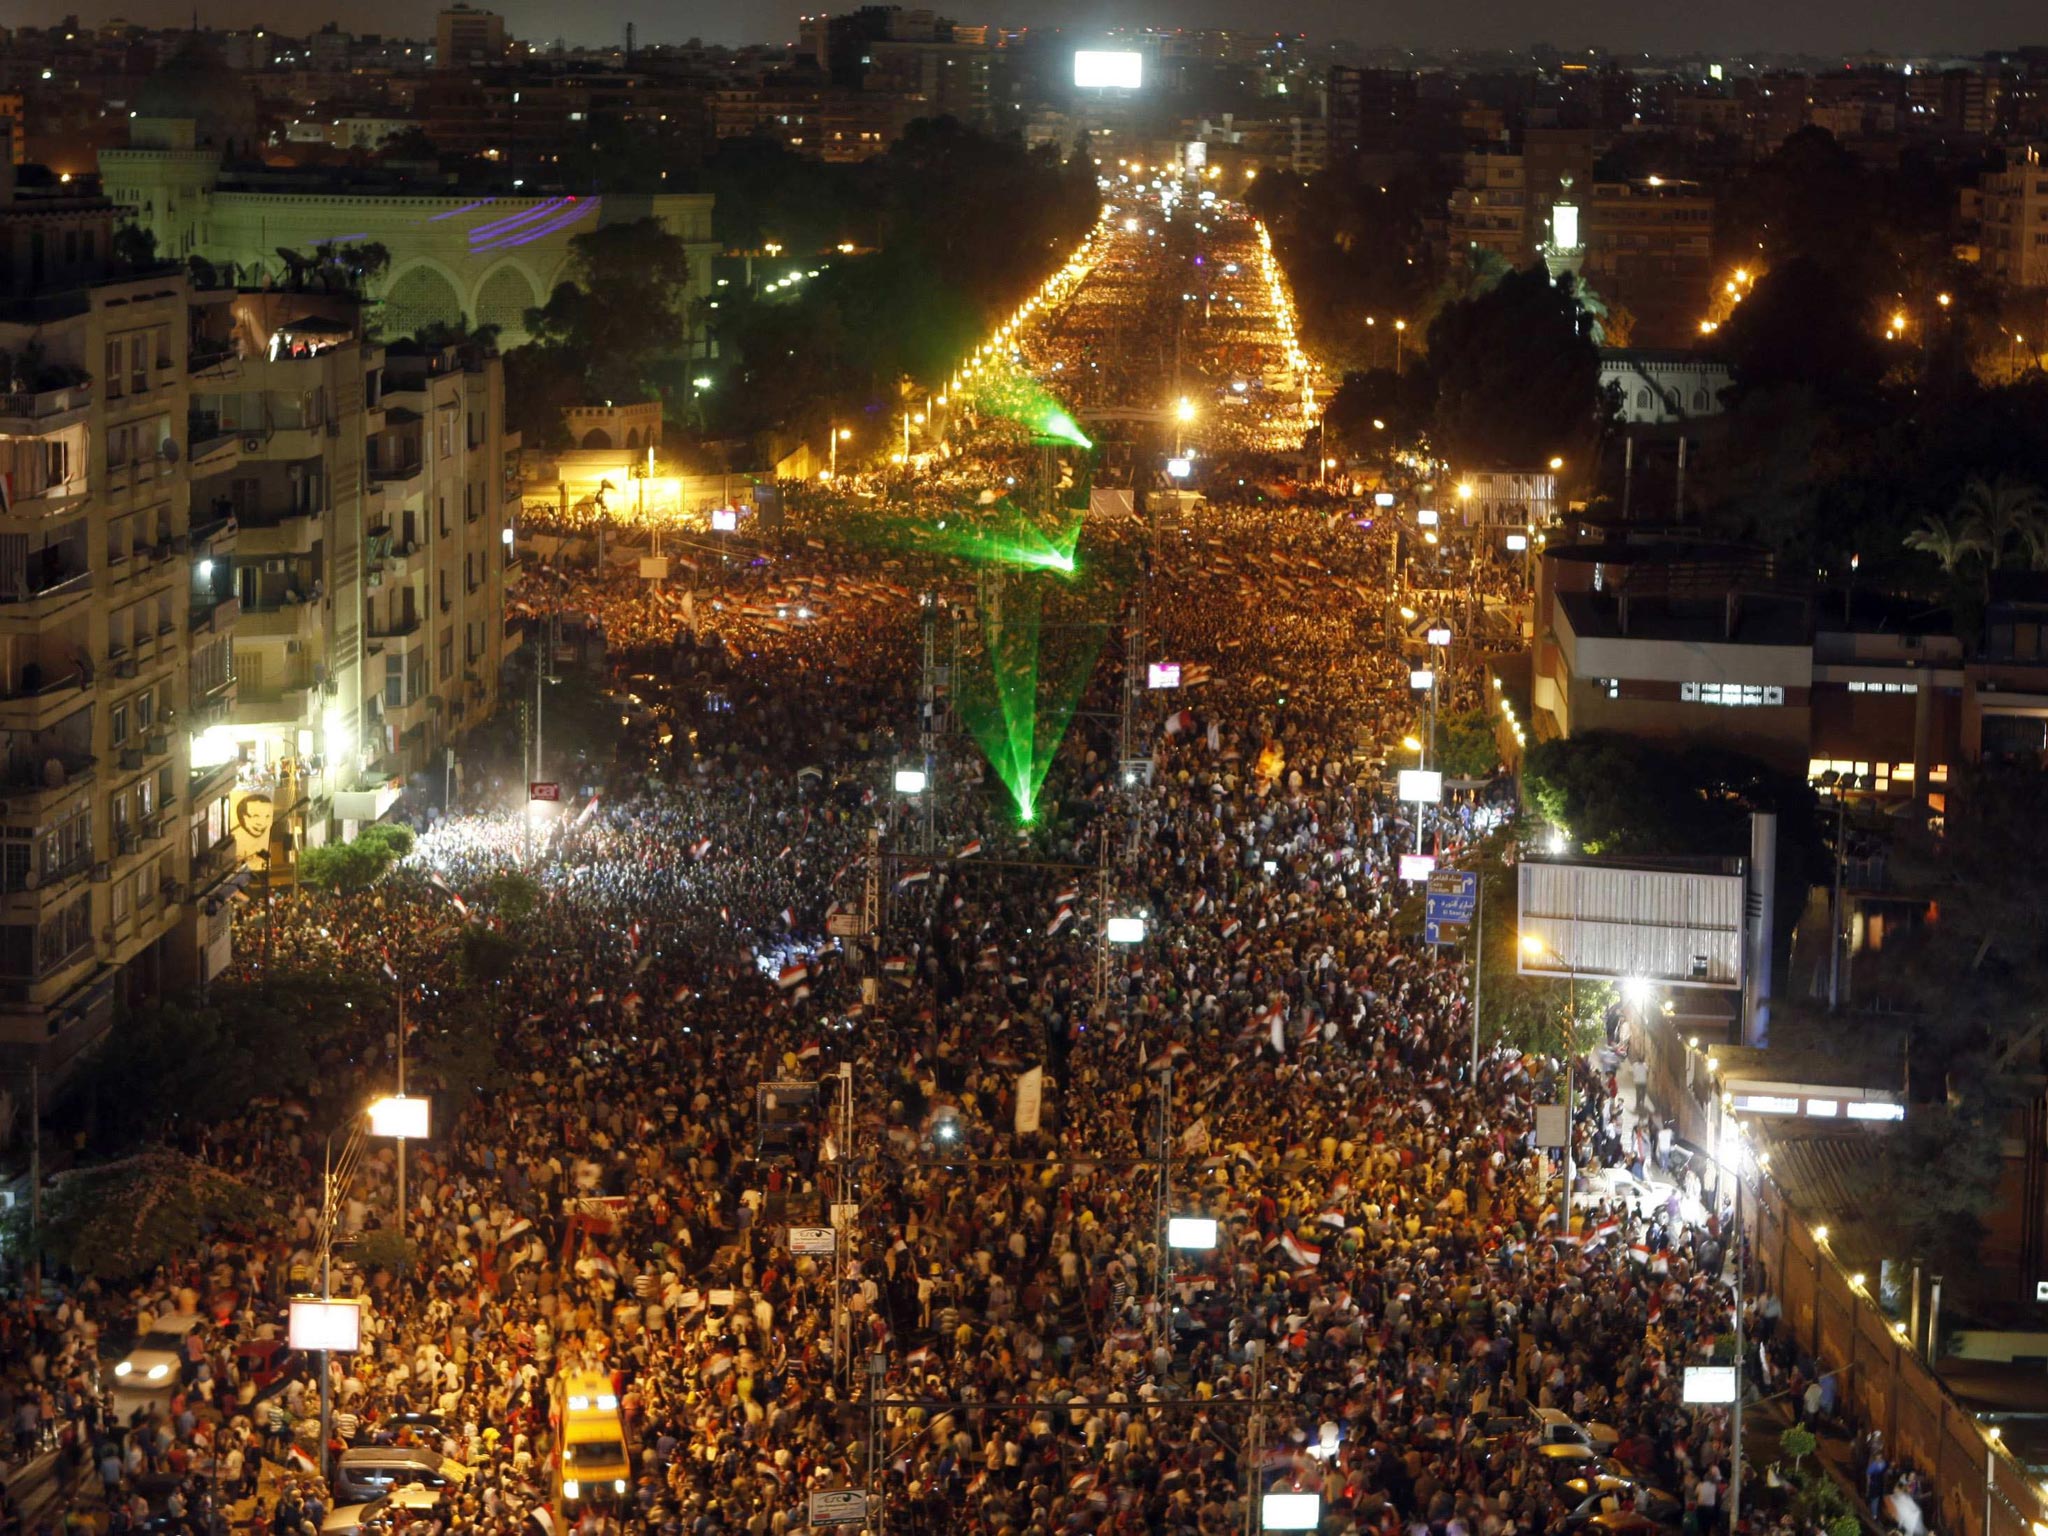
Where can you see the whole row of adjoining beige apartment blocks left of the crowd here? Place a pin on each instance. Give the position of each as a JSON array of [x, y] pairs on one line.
[[253, 577]]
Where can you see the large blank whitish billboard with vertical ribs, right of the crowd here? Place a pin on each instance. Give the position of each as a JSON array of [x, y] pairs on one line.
[[1631, 925]]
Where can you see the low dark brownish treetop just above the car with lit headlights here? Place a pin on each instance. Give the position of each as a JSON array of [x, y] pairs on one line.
[[120, 1222]]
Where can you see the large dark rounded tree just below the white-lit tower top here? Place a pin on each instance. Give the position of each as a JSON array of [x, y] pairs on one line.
[[1517, 374]]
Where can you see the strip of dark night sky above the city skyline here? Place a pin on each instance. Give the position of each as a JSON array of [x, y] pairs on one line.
[[1725, 26]]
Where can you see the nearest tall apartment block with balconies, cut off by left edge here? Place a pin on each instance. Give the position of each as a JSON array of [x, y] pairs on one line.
[[110, 650]]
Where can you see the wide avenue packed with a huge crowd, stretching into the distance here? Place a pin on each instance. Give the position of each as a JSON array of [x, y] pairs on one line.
[[835, 1148]]
